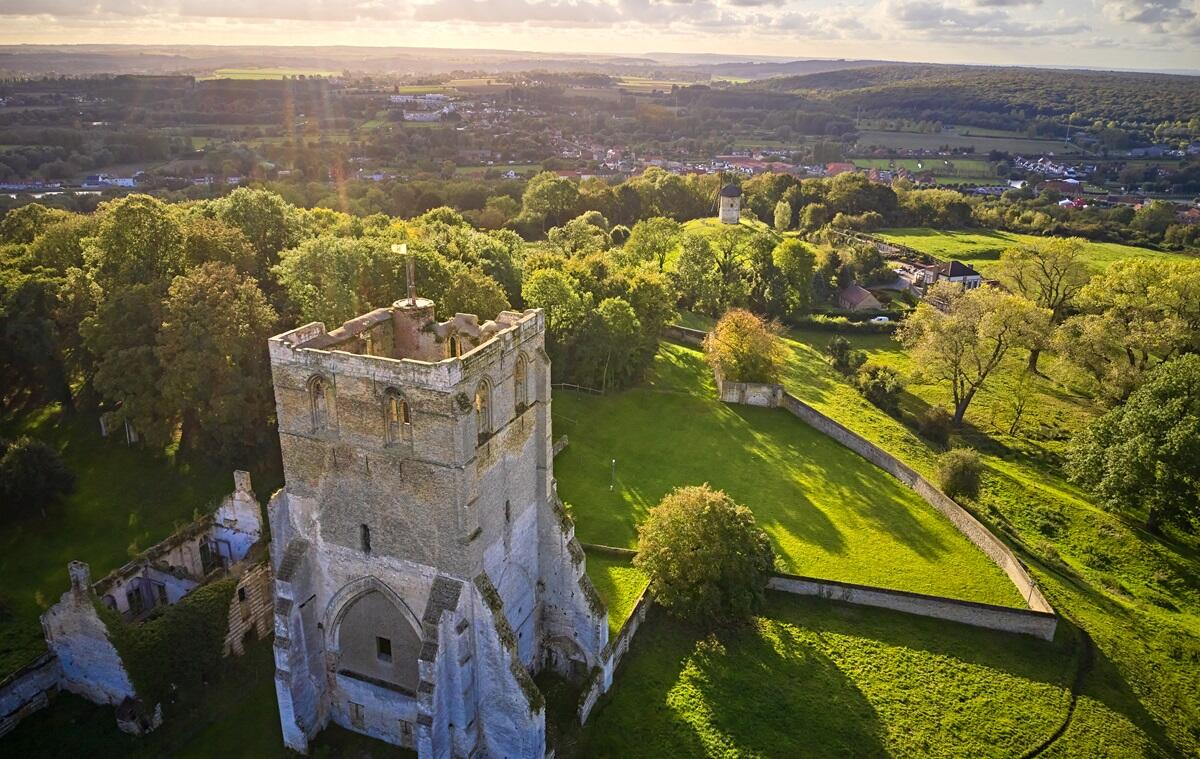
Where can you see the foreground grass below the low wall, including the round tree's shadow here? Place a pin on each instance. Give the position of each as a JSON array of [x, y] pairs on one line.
[[812, 678]]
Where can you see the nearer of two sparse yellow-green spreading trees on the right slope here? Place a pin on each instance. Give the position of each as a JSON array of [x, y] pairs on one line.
[[965, 342]]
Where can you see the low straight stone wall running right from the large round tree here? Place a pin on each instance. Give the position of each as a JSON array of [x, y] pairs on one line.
[[1025, 621]]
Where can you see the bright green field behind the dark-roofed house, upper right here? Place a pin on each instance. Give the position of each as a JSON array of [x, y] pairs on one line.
[[982, 248]]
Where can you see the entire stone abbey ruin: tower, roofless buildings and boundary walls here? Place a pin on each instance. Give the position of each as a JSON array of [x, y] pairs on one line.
[[422, 567]]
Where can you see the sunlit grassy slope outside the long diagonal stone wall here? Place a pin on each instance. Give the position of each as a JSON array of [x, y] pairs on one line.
[[1136, 595]]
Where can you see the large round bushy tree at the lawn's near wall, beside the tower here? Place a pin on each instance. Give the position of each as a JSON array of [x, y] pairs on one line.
[[706, 558]]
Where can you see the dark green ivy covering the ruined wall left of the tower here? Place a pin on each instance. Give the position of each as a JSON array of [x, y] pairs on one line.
[[181, 647]]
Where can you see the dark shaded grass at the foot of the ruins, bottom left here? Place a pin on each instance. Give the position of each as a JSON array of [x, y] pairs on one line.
[[237, 716]]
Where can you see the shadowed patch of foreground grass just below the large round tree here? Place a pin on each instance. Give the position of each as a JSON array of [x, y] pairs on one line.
[[730, 695]]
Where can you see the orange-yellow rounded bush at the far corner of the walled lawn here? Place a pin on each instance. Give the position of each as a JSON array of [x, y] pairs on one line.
[[745, 349]]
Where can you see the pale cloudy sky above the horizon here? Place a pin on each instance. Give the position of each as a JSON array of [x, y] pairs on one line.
[[1121, 34]]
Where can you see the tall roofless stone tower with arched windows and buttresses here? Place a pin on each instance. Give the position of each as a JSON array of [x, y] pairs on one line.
[[424, 566]]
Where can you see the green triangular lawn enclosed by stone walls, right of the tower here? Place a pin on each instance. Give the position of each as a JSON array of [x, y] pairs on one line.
[[830, 513]]
